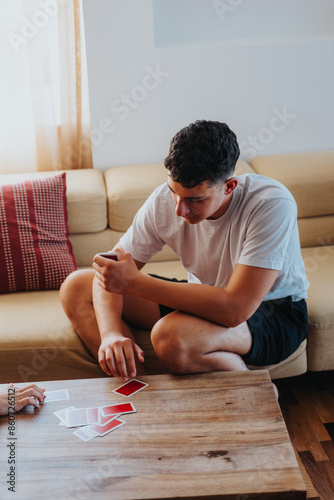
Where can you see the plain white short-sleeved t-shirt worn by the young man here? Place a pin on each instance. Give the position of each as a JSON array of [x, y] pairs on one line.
[[258, 229]]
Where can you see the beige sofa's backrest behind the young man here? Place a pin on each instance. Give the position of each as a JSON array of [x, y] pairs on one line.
[[101, 205]]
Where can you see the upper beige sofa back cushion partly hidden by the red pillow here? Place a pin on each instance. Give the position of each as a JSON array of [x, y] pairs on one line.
[[86, 197]]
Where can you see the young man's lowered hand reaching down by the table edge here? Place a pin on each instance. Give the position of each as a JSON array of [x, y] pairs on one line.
[[117, 356]]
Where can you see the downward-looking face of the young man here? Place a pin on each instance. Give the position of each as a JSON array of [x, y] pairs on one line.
[[204, 201]]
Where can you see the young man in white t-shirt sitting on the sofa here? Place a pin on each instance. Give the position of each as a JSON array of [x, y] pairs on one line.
[[244, 301]]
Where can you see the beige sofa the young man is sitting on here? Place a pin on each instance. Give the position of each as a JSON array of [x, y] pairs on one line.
[[37, 341]]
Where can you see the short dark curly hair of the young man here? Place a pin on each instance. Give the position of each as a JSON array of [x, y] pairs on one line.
[[204, 150]]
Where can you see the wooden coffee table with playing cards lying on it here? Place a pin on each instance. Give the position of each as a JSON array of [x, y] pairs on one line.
[[209, 436]]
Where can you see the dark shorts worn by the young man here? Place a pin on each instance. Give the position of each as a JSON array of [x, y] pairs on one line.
[[278, 327]]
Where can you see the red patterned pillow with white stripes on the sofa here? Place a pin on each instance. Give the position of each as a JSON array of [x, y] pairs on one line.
[[35, 252]]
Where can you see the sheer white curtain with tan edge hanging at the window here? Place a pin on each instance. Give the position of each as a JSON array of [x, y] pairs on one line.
[[44, 115]]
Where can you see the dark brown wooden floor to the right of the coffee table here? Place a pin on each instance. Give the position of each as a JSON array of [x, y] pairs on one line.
[[307, 404]]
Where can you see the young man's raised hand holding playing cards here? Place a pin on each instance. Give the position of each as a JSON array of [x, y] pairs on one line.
[[115, 276]]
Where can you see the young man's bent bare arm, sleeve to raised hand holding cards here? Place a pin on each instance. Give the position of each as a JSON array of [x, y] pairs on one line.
[[228, 307]]
